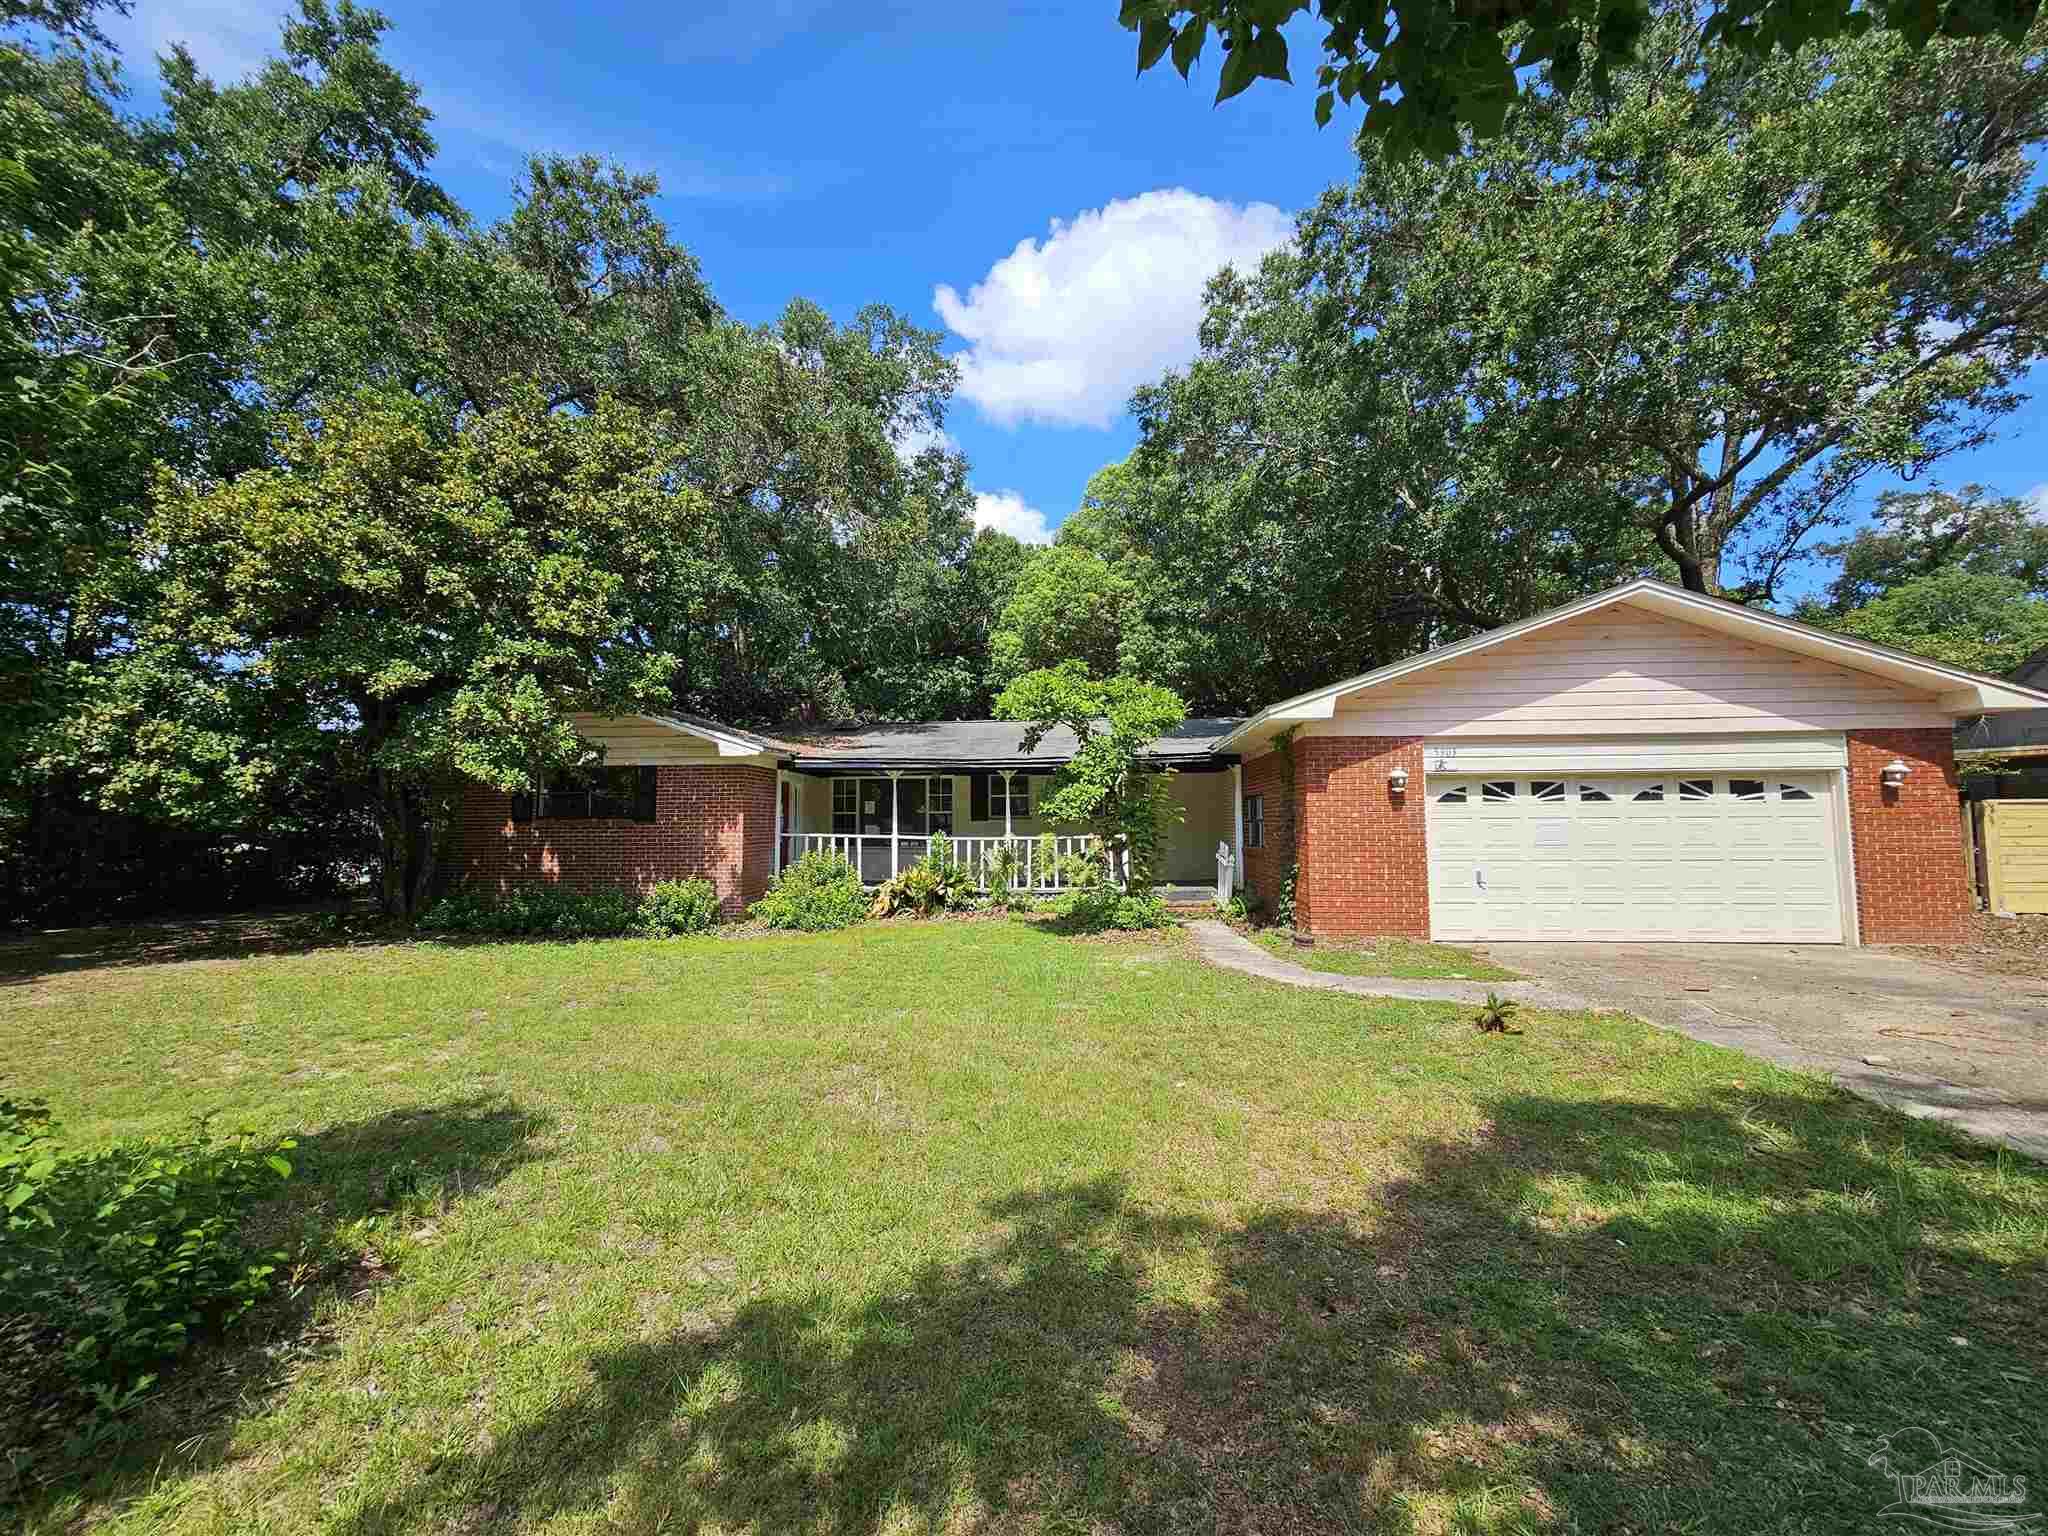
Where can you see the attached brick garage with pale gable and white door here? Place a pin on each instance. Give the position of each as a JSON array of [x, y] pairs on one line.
[[1644, 765]]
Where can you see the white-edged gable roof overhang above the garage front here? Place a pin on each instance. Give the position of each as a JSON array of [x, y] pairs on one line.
[[1955, 689]]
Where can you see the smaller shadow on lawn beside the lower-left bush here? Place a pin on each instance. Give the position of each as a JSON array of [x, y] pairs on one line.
[[423, 1160]]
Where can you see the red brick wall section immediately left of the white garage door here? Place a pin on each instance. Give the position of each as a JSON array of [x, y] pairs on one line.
[[1365, 867]]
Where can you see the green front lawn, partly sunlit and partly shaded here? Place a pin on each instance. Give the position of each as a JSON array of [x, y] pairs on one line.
[[970, 1226]]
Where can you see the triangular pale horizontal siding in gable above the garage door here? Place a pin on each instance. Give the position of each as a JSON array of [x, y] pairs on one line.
[[1629, 673]]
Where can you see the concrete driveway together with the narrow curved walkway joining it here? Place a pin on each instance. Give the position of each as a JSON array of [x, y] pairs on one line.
[[1797, 1019]]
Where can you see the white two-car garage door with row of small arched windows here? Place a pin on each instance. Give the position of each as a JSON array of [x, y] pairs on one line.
[[1635, 857]]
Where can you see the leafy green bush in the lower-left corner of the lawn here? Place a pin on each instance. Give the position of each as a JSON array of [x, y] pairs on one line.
[[112, 1263]]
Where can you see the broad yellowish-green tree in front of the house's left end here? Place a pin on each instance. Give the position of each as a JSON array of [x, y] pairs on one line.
[[437, 603]]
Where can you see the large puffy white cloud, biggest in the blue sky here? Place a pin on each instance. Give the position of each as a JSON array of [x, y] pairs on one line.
[[1062, 331]]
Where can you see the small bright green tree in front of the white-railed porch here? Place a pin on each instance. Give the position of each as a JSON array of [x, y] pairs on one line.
[[1107, 785]]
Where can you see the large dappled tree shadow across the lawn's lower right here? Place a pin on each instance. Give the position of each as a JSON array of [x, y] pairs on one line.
[[1592, 1316]]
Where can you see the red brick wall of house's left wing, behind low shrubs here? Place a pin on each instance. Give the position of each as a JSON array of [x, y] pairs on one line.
[[710, 822]]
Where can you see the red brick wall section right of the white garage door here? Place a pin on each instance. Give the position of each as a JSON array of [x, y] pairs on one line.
[[1910, 886]]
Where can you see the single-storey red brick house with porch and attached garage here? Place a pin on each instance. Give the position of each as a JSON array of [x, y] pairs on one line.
[[1641, 765]]
